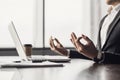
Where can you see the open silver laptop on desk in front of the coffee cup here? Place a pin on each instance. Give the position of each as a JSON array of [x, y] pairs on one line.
[[21, 51]]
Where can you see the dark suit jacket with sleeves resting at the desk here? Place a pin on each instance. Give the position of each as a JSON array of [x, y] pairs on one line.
[[111, 48]]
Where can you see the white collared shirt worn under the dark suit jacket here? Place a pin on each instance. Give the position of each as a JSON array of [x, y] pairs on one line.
[[108, 20]]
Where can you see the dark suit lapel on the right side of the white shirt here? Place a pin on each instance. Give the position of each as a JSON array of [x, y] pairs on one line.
[[111, 27]]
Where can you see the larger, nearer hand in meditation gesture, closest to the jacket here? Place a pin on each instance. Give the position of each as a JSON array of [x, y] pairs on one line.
[[87, 49]]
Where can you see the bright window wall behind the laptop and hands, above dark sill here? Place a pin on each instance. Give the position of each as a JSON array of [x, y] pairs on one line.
[[37, 20]]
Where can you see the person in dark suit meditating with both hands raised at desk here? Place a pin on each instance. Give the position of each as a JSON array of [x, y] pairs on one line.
[[108, 44]]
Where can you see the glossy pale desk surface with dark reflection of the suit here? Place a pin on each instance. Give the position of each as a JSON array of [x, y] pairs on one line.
[[77, 69]]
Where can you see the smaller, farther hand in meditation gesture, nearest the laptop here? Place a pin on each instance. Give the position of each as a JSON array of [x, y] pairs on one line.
[[58, 48]]
